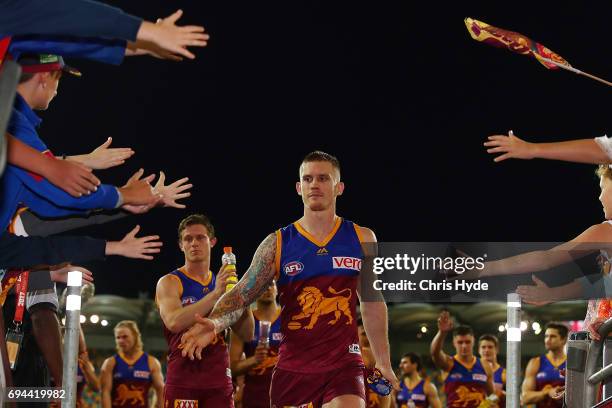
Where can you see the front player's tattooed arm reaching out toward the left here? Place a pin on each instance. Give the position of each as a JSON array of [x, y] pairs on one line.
[[230, 307]]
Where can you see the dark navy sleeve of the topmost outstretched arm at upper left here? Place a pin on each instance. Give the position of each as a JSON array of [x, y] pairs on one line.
[[81, 18]]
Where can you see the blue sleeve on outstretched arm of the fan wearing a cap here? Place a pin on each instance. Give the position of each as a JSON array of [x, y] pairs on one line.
[[48, 200]]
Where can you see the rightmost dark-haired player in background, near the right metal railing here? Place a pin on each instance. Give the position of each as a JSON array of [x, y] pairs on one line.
[[543, 379]]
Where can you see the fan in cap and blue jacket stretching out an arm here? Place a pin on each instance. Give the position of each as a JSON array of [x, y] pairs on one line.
[[37, 88]]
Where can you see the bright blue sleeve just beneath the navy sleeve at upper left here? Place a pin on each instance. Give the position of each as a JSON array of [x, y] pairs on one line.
[[100, 50]]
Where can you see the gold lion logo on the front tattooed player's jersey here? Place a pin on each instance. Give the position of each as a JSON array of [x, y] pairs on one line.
[[314, 305]]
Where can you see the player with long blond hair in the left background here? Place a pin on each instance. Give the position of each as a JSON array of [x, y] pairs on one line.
[[128, 375]]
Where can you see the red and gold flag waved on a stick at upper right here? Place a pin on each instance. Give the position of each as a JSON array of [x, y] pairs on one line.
[[515, 42]]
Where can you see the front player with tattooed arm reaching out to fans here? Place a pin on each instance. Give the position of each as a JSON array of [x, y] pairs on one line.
[[316, 262]]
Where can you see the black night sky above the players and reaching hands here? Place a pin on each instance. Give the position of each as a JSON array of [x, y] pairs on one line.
[[397, 90]]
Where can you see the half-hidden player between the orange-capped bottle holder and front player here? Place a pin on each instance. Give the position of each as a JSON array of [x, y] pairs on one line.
[[260, 358]]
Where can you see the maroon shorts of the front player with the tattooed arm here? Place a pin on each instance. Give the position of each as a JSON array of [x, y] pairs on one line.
[[293, 389]]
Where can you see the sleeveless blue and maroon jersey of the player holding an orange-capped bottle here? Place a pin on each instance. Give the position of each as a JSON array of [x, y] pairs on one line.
[[212, 371]]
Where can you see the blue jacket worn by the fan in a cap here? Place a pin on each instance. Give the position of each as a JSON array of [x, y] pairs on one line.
[[18, 186]]
